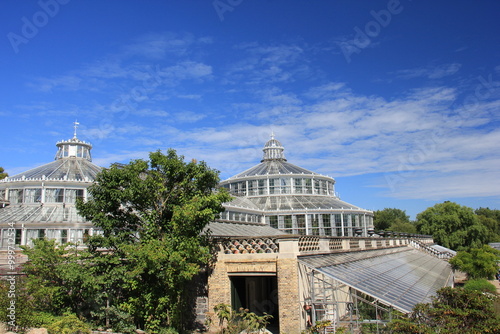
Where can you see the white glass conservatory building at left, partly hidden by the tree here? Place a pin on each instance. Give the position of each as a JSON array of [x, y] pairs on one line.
[[40, 203]]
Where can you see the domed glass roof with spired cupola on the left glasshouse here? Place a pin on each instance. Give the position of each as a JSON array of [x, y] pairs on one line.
[[73, 161]]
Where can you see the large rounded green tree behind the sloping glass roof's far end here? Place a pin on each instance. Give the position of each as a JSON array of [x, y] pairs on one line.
[[453, 226]]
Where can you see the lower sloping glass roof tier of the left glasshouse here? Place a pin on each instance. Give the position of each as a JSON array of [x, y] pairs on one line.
[[40, 214]]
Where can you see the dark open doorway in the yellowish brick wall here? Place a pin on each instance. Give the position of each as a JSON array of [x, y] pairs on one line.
[[258, 294]]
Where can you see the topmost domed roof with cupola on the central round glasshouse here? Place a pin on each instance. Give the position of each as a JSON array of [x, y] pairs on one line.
[[273, 163]]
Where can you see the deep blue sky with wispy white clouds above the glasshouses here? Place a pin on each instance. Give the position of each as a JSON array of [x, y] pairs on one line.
[[397, 100]]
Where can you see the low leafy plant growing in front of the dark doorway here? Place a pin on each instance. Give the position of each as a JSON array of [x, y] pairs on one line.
[[235, 322]]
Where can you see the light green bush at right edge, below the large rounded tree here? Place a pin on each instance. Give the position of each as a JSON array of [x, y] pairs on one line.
[[477, 262]]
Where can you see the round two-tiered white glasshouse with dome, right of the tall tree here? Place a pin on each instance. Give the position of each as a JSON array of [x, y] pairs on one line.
[[292, 199]]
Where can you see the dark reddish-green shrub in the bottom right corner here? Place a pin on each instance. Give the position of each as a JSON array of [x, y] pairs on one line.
[[453, 311]]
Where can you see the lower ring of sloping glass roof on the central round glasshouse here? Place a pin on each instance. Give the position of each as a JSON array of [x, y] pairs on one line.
[[301, 202]]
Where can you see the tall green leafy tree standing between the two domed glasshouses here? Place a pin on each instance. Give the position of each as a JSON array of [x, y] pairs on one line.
[[152, 214]]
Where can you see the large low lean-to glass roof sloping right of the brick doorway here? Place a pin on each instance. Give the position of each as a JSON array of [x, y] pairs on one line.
[[399, 277]]
